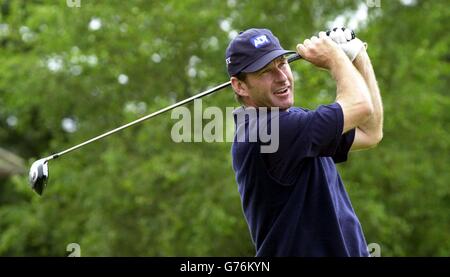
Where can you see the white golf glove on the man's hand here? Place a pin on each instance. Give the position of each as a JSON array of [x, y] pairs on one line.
[[351, 47]]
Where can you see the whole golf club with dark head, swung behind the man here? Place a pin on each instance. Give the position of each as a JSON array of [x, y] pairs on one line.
[[38, 176]]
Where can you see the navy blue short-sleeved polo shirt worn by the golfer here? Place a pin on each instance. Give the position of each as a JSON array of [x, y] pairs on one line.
[[293, 199]]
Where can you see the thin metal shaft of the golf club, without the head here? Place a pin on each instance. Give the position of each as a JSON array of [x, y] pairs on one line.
[[168, 108]]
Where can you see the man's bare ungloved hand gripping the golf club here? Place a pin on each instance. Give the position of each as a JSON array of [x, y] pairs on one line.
[[321, 51]]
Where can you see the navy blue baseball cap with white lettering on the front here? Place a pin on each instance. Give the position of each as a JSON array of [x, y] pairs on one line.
[[251, 50]]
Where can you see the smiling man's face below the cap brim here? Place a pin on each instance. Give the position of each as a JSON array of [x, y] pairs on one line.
[[272, 86]]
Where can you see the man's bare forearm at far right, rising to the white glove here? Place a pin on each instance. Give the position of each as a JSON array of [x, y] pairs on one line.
[[369, 133]]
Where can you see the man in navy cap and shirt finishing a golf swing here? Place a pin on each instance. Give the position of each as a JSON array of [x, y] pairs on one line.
[[293, 199]]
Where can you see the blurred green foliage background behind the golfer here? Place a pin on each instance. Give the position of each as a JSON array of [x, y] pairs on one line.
[[71, 70]]
